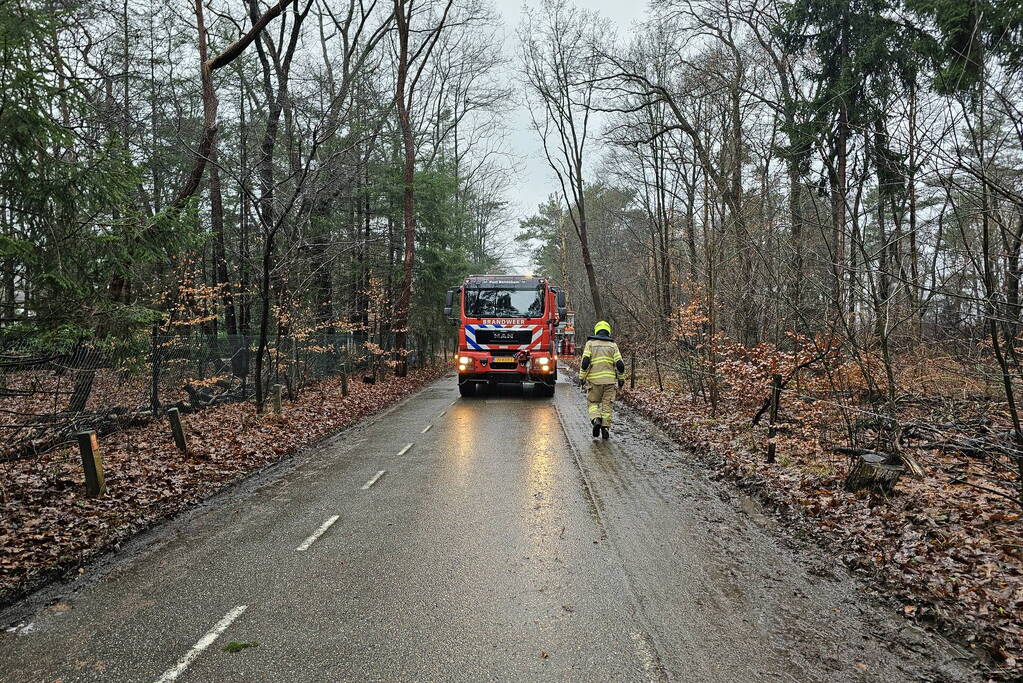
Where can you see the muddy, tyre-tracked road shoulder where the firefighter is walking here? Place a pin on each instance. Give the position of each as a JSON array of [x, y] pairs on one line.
[[793, 607]]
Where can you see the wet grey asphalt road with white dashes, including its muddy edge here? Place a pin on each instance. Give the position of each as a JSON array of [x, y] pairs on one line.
[[502, 543]]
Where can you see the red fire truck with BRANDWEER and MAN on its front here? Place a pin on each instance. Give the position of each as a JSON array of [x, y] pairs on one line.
[[507, 332]]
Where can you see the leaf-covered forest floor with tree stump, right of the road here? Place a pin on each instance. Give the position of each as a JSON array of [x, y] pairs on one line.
[[949, 553]]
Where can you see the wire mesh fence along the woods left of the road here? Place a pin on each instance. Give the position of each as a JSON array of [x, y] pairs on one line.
[[47, 397]]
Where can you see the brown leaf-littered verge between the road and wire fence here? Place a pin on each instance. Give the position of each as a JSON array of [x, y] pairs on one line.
[[49, 526]]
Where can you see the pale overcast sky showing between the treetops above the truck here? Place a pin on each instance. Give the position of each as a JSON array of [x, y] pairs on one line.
[[536, 180]]
